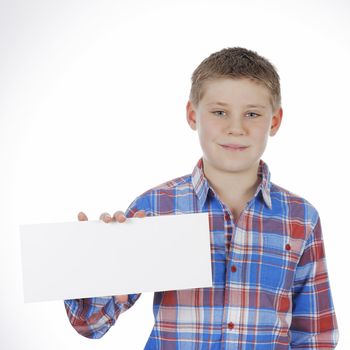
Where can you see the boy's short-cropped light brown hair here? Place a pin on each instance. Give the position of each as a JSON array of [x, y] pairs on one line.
[[236, 63]]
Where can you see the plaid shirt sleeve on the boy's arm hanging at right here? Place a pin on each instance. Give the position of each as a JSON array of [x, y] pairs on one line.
[[314, 324]]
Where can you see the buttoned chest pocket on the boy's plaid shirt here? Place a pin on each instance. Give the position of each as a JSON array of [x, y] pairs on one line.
[[276, 263]]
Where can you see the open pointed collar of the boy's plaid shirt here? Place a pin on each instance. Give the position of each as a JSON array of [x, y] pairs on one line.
[[201, 185]]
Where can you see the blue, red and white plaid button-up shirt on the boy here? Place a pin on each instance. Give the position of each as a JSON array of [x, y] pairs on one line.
[[270, 282]]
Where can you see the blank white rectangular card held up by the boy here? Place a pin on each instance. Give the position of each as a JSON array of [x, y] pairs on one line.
[[91, 258]]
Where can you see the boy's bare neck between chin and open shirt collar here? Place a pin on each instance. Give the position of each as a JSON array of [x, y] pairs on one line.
[[232, 185]]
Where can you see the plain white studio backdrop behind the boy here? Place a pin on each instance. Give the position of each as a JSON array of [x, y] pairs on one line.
[[92, 114]]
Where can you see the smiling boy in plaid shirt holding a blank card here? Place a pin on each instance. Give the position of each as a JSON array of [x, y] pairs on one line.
[[270, 283]]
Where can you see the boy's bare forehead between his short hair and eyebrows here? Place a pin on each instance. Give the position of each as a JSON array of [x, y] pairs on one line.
[[235, 91]]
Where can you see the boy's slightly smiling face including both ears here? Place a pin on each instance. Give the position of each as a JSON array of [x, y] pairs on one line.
[[234, 119]]
